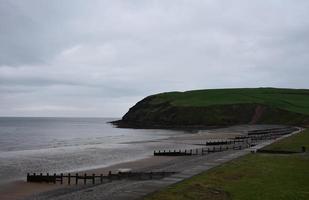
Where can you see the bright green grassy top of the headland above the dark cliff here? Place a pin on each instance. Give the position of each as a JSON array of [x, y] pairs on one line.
[[294, 100]]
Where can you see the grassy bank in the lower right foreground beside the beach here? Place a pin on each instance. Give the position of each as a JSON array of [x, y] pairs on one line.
[[254, 177]]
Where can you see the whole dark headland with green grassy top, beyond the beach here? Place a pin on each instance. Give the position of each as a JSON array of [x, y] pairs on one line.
[[219, 107]]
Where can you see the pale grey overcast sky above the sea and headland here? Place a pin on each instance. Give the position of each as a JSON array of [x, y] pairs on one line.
[[97, 58]]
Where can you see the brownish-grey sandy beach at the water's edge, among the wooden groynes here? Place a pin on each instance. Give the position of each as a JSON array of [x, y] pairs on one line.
[[22, 190]]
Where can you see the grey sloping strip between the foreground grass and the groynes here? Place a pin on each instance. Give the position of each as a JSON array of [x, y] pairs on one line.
[[128, 190]]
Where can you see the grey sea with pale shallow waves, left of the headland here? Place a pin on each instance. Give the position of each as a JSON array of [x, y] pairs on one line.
[[69, 144]]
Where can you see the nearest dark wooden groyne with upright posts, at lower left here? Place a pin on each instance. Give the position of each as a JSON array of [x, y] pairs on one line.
[[93, 178]]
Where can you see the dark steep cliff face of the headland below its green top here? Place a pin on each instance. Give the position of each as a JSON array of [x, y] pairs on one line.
[[151, 113]]
